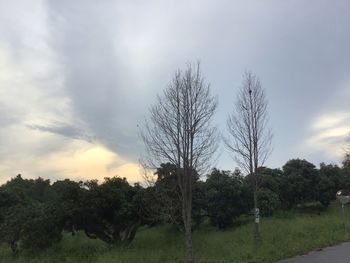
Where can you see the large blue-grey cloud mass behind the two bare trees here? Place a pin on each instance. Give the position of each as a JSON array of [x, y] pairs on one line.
[[108, 50]]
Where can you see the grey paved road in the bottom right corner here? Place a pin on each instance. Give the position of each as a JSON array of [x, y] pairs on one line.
[[336, 254]]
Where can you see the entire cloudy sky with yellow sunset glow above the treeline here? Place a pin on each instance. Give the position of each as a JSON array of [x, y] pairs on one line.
[[78, 77]]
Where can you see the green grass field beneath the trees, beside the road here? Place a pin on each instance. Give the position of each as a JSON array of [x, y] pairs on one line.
[[284, 235]]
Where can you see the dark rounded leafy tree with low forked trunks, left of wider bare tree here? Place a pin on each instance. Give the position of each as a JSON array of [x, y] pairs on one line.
[[108, 211]]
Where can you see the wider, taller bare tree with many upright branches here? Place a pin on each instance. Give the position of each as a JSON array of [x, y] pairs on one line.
[[179, 131]]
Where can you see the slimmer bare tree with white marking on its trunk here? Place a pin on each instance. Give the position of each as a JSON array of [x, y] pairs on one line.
[[249, 135]]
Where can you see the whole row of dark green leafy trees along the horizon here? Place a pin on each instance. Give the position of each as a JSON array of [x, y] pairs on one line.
[[35, 213]]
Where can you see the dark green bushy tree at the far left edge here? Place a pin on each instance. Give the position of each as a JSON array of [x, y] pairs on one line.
[[26, 218]]
